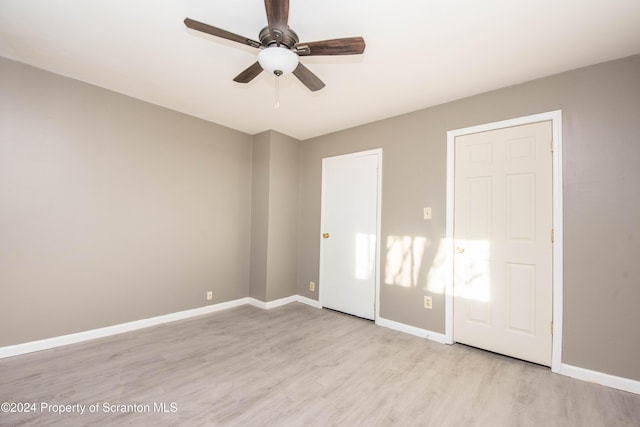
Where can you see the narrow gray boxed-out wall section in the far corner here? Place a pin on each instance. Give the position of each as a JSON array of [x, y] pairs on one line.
[[274, 217]]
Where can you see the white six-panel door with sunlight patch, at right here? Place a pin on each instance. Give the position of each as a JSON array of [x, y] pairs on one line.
[[503, 241]]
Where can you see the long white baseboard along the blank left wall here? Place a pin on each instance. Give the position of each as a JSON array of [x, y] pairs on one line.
[[45, 344]]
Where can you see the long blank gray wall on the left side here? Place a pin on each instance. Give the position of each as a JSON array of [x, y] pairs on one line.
[[111, 209]]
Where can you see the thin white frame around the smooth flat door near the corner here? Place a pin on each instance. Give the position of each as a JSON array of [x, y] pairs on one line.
[[378, 153]]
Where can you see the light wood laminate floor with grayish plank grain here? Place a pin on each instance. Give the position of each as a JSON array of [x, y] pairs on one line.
[[297, 366]]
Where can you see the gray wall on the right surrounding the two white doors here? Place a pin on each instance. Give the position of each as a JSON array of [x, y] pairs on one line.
[[601, 135]]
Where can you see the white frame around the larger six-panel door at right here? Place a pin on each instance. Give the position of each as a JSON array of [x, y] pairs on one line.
[[556, 122]]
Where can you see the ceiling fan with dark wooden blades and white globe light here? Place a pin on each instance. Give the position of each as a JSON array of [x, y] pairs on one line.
[[280, 46]]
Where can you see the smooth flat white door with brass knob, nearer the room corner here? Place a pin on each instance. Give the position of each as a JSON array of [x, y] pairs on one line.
[[348, 252]]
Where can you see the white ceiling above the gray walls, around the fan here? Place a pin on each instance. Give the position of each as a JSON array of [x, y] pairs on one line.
[[419, 53]]
